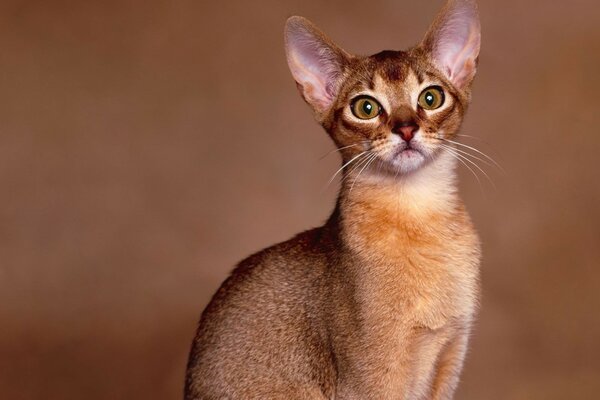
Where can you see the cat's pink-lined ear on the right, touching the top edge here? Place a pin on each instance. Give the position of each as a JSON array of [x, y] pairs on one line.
[[453, 41]]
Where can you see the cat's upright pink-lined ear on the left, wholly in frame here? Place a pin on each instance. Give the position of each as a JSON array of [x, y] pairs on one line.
[[317, 64]]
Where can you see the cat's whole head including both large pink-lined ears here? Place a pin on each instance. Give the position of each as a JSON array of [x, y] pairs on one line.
[[394, 107]]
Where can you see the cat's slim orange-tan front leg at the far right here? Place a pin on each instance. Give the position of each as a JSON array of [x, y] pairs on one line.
[[448, 368]]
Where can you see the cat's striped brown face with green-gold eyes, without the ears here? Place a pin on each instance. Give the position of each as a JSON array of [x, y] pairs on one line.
[[396, 106]]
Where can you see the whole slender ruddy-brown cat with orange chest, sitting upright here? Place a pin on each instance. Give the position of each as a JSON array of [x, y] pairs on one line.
[[377, 303]]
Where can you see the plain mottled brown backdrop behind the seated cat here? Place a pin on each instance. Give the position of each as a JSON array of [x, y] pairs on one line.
[[146, 147]]
